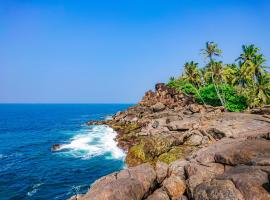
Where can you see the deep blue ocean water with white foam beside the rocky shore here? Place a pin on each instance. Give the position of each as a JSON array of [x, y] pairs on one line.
[[28, 168]]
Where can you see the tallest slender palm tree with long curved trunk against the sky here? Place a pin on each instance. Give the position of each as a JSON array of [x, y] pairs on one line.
[[211, 50]]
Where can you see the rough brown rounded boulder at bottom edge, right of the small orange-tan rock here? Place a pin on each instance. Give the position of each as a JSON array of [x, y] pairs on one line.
[[217, 190]]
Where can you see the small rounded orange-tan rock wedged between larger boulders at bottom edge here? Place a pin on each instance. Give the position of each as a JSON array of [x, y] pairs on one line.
[[174, 186]]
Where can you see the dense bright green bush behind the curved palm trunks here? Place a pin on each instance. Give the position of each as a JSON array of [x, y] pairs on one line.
[[234, 101]]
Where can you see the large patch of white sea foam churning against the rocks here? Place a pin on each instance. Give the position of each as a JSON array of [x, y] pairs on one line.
[[99, 140]]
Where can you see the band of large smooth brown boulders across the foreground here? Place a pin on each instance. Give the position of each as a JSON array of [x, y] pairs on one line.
[[229, 169]]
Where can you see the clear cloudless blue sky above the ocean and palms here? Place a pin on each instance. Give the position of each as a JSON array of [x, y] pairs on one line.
[[113, 51]]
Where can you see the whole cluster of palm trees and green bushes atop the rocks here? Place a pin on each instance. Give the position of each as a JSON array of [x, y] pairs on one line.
[[237, 86]]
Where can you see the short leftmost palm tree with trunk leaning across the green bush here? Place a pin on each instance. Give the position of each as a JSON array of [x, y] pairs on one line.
[[193, 76]]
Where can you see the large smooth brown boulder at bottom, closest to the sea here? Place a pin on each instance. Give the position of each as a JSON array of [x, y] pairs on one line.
[[127, 184]]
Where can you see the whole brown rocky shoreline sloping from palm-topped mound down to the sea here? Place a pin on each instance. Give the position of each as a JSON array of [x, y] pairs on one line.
[[177, 149]]
